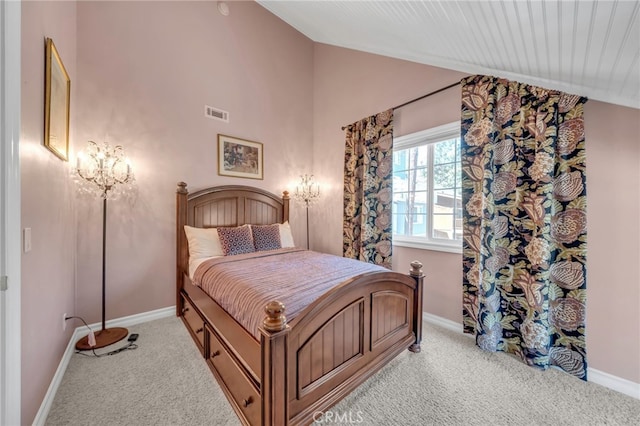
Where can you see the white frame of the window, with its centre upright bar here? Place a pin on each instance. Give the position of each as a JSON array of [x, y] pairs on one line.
[[427, 137]]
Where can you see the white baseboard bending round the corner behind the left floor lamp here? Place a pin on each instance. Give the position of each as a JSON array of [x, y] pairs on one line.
[[43, 412]]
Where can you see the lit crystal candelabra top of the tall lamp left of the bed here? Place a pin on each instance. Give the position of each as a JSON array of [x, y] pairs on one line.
[[103, 169]]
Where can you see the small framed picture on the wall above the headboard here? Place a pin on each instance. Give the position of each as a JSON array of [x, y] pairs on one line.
[[239, 157]]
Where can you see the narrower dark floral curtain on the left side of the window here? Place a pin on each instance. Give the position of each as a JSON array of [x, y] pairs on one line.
[[368, 196]]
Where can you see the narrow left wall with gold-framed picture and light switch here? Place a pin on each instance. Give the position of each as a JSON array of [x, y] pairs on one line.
[[47, 205]]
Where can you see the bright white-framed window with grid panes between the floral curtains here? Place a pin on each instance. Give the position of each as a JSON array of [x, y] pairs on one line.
[[427, 198]]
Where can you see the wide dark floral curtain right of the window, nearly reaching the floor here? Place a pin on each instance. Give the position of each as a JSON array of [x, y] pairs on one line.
[[525, 233]]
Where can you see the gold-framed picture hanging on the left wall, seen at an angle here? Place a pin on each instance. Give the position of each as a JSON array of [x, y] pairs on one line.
[[57, 96]]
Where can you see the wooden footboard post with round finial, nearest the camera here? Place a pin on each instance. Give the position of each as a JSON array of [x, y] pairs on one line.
[[273, 377]]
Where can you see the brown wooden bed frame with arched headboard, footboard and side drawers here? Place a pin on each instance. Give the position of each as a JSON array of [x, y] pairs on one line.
[[302, 367]]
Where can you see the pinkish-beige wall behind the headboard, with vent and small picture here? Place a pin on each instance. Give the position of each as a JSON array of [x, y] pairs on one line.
[[147, 70]]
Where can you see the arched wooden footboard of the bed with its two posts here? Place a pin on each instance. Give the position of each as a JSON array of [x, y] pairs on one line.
[[339, 342]]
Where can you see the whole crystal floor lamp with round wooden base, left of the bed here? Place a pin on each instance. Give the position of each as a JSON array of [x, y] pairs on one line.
[[105, 172]]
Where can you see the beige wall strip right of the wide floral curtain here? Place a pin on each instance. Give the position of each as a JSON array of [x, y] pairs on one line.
[[613, 233]]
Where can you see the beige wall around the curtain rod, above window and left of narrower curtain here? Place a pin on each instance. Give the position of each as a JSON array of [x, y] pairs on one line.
[[349, 85]]
